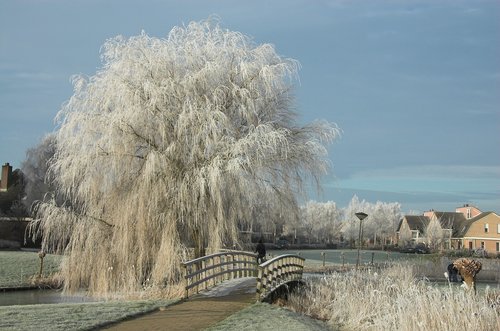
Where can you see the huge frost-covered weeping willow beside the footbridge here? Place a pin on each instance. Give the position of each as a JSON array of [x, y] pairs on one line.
[[166, 147]]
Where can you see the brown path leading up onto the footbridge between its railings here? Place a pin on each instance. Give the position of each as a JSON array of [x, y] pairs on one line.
[[198, 312]]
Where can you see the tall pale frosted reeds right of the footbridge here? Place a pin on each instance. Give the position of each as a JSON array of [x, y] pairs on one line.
[[394, 299]]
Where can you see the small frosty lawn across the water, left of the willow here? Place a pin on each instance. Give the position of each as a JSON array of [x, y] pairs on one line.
[[19, 267]]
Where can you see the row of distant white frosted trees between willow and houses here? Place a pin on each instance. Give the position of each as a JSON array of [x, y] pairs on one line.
[[326, 223]]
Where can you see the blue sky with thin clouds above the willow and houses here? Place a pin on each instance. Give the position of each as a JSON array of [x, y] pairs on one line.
[[414, 85]]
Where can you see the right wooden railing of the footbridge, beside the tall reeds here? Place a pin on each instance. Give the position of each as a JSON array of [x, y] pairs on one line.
[[277, 271]]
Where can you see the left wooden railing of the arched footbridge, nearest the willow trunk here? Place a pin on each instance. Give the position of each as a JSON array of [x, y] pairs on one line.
[[207, 271]]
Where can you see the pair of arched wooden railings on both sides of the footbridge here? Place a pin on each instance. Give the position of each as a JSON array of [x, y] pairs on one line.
[[207, 271]]
